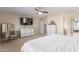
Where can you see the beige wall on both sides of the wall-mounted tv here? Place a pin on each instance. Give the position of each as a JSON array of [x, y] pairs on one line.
[[14, 19]]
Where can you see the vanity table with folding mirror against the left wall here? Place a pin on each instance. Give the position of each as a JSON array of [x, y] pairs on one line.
[[8, 32]]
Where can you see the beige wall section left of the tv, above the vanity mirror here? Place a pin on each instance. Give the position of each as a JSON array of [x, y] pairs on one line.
[[10, 18]]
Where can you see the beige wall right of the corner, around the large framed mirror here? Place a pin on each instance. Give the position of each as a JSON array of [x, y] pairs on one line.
[[67, 21]]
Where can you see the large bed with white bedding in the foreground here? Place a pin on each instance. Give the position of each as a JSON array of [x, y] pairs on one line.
[[52, 43]]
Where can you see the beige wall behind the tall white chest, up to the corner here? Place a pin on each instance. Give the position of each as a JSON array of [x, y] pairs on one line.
[[58, 18]]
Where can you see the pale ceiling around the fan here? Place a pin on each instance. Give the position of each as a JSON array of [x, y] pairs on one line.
[[29, 11]]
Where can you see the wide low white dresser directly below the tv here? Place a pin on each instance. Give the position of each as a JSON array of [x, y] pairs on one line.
[[26, 31]]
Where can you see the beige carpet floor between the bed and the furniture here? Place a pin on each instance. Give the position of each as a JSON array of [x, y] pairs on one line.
[[15, 45]]
